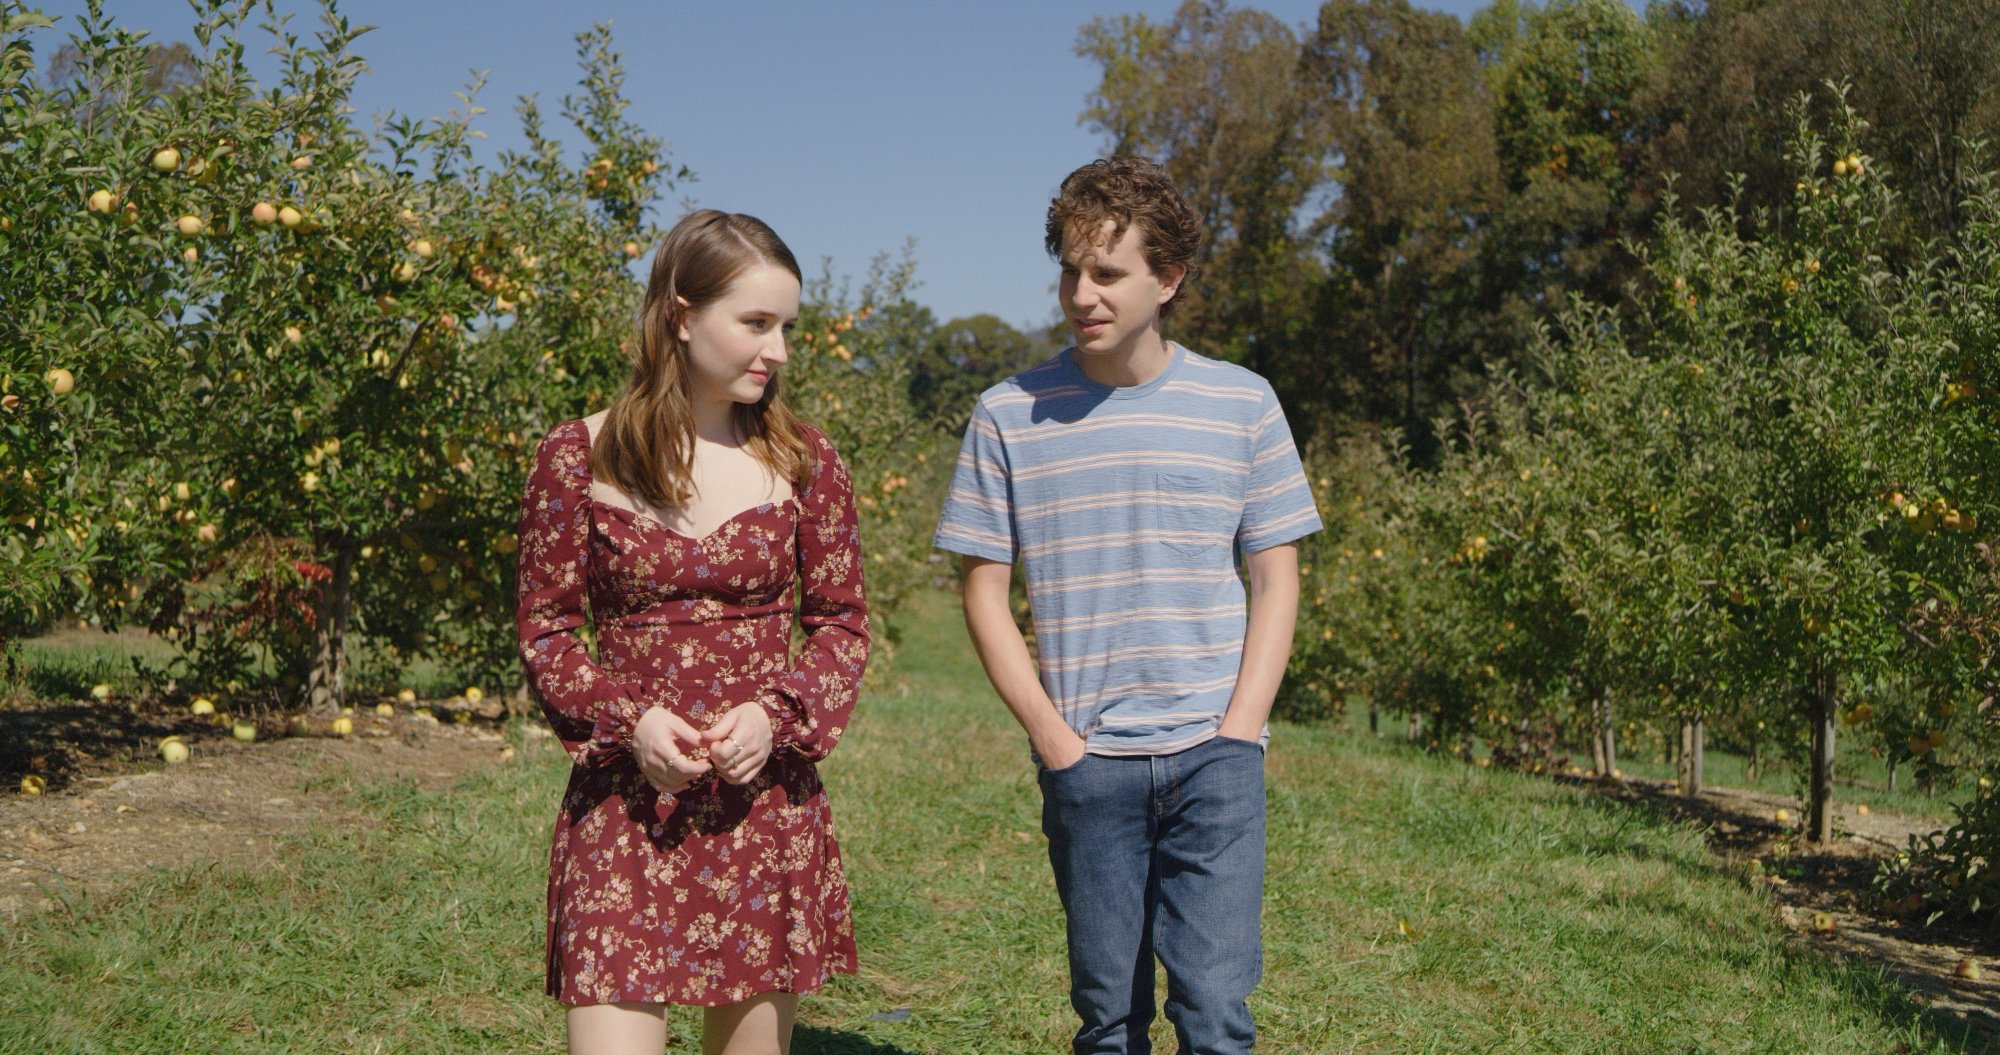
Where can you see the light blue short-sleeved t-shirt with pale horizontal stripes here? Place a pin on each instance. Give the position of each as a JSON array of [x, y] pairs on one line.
[[1127, 509]]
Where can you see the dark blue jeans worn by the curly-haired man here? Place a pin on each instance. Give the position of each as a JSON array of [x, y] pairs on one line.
[[1161, 856]]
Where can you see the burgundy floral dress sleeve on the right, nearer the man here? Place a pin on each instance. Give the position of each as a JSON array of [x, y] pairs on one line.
[[811, 704]]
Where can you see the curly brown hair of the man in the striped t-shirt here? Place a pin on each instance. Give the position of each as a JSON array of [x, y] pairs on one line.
[[1129, 191]]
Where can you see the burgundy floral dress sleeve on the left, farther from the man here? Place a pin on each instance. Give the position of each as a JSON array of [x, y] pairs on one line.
[[591, 712]]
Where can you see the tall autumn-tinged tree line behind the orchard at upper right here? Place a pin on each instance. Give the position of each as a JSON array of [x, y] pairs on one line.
[[1397, 199]]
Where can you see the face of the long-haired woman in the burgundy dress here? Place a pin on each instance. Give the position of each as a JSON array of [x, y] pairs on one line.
[[737, 343]]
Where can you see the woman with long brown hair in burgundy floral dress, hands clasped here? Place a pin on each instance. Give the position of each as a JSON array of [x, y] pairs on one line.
[[695, 856]]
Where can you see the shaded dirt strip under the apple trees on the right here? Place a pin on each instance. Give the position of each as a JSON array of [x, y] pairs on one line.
[[1825, 892]]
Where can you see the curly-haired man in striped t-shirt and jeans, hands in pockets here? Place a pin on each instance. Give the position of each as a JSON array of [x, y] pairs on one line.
[[1125, 477]]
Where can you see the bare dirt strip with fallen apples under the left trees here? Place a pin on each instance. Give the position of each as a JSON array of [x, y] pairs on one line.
[[113, 810]]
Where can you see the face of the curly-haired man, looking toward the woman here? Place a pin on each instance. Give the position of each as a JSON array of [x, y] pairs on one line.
[[1109, 293]]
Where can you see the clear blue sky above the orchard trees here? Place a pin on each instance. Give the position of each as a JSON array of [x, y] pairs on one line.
[[851, 127]]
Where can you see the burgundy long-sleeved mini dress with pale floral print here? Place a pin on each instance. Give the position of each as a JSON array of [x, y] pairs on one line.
[[721, 892]]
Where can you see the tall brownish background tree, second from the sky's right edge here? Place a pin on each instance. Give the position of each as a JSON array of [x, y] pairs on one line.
[[1411, 139]]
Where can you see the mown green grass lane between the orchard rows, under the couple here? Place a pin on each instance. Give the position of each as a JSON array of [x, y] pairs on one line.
[[1539, 918]]
